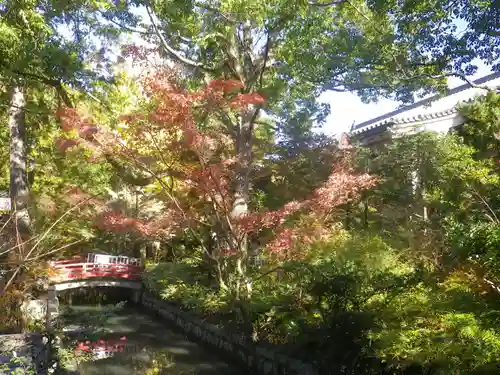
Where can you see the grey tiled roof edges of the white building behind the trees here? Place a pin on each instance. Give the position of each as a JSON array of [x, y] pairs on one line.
[[393, 117]]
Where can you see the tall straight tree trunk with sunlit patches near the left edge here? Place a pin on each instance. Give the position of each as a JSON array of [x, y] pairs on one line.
[[19, 191]]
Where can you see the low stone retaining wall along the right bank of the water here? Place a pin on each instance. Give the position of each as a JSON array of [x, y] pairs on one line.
[[263, 361]]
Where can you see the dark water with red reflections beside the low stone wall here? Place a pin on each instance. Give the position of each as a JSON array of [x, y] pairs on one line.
[[124, 340]]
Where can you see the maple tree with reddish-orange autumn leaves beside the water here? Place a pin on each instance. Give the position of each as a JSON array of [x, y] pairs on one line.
[[175, 140]]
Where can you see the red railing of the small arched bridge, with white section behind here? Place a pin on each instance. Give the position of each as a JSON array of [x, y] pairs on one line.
[[96, 266]]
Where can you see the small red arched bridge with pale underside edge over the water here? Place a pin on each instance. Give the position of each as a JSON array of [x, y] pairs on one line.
[[96, 270]]
